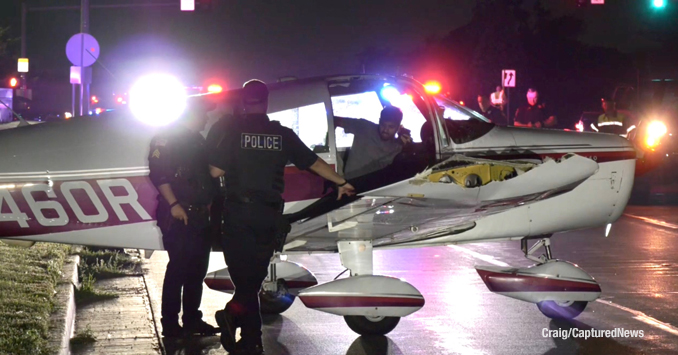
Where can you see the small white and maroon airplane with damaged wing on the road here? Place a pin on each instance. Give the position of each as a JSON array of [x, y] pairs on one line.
[[462, 180]]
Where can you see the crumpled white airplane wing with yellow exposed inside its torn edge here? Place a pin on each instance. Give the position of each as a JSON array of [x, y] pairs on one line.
[[431, 204]]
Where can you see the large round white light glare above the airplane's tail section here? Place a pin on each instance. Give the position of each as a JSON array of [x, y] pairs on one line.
[[157, 99]]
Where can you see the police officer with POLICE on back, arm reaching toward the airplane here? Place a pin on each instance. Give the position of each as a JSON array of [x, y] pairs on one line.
[[251, 154]]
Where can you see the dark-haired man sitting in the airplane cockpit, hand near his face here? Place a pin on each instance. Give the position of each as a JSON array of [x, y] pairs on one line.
[[374, 145]]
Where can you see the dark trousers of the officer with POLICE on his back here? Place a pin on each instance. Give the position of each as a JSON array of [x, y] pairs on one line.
[[248, 241]]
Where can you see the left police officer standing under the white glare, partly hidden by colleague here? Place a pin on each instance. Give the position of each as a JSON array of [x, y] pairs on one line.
[[179, 170]]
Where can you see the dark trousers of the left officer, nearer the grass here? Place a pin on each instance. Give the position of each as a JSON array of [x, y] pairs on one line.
[[189, 251]]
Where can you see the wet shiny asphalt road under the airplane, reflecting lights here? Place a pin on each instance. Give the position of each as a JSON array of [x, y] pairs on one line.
[[636, 265]]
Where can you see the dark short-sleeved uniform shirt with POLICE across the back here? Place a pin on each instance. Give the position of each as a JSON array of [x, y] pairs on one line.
[[253, 152]]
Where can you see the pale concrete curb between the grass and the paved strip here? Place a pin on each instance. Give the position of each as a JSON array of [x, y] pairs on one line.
[[62, 321]]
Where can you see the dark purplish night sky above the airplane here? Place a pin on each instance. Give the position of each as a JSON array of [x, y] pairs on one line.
[[268, 39]]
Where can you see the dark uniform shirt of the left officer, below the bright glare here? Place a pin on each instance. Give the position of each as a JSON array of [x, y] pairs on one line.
[[178, 157]]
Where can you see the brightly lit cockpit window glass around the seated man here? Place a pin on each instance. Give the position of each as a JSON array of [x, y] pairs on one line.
[[367, 105]]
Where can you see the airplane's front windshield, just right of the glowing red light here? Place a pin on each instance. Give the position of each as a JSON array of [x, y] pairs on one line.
[[463, 124]]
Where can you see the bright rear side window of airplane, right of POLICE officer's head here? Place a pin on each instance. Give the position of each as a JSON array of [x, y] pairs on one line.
[[308, 122]]
